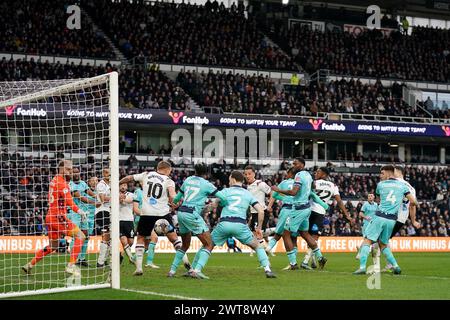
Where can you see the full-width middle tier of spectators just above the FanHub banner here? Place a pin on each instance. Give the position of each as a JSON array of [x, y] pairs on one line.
[[147, 88]]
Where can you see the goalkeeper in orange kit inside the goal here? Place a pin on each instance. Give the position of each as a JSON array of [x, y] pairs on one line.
[[56, 221]]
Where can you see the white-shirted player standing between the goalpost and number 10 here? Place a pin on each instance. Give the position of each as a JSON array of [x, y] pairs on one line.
[[126, 221]]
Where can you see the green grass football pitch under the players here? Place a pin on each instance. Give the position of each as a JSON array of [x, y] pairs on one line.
[[236, 276]]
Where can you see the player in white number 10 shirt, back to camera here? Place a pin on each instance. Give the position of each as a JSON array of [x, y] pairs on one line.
[[158, 191]]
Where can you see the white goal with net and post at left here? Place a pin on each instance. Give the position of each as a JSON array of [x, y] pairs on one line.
[[41, 124]]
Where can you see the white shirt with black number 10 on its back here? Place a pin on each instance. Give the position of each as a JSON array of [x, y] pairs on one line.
[[155, 197]]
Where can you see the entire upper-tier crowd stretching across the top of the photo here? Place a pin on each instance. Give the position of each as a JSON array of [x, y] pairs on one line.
[[218, 36]]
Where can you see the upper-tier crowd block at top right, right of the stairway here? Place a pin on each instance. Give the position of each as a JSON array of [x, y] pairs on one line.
[[422, 56]]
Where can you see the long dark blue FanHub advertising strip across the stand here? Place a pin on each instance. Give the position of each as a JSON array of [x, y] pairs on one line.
[[178, 118]]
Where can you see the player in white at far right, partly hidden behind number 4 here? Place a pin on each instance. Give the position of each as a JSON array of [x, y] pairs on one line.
[[406, 209]]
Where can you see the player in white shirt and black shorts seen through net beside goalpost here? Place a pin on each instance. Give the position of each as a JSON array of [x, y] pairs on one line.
[[102, 219]]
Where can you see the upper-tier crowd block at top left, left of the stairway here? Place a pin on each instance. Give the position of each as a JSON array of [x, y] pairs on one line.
[[40, 27]]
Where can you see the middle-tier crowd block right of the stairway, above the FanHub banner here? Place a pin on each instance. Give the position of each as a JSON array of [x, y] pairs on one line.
[[259, 94]]
